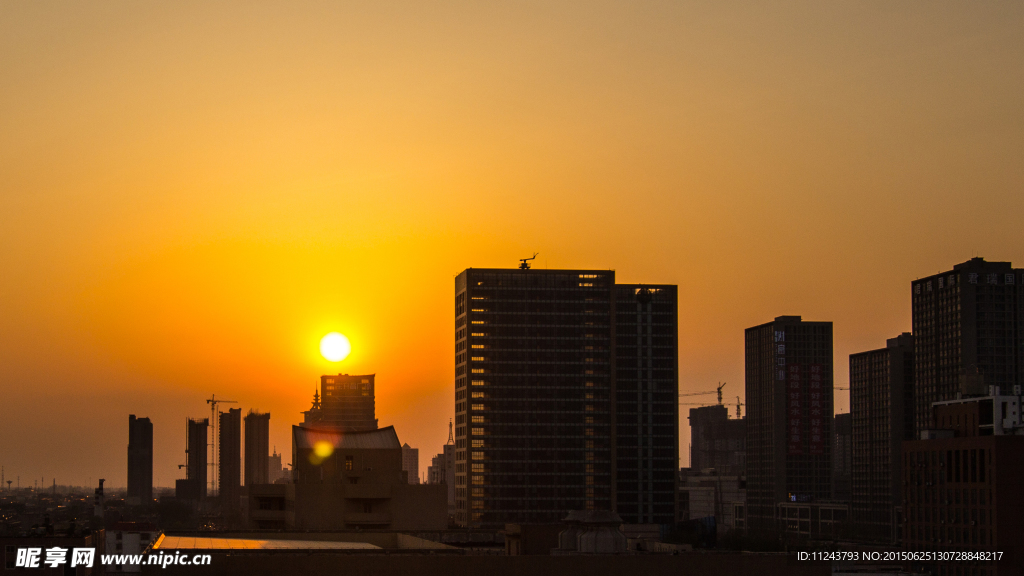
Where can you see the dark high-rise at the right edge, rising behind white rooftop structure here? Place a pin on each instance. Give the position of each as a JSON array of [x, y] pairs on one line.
[[969, 334]]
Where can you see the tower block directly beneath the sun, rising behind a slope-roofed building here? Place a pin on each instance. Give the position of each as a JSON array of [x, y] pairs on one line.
[[348, 403]]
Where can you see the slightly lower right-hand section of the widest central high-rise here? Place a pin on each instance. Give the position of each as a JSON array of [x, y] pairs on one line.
[[646, 415]]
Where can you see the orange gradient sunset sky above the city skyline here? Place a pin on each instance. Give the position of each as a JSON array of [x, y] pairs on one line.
[[192, 194]]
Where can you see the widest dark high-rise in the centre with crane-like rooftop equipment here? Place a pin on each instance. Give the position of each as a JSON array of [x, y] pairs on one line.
[[536, 397]]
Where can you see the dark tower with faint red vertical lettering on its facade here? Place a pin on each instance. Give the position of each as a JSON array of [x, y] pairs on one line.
[[789, 366]]
